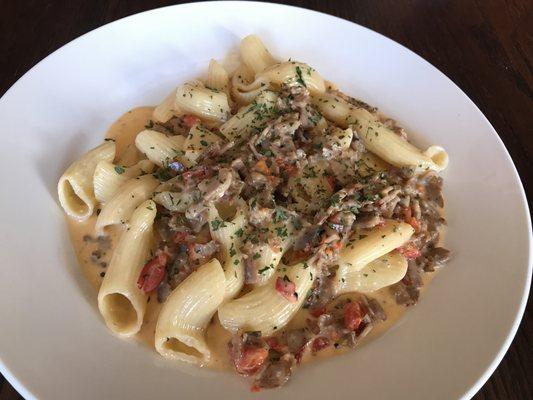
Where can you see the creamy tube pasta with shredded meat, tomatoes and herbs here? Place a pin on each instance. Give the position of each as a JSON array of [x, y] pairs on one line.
[[256, 219]]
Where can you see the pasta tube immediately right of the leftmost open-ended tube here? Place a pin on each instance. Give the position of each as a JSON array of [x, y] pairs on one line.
[[108, 177]]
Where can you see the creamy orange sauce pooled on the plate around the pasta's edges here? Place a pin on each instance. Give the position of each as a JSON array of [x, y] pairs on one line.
[[124, 131]]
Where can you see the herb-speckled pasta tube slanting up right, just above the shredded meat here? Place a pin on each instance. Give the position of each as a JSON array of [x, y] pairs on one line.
[[250, 119]]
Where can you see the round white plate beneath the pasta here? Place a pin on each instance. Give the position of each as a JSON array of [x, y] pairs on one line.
[[53, 343]]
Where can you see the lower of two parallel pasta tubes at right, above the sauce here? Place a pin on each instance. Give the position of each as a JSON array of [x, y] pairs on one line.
[[382, 272]]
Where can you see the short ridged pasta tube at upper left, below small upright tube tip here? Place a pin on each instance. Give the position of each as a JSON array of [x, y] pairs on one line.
[[202, 102]]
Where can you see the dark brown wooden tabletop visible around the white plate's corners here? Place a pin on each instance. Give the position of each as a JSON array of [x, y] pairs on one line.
[[486, 47]]
